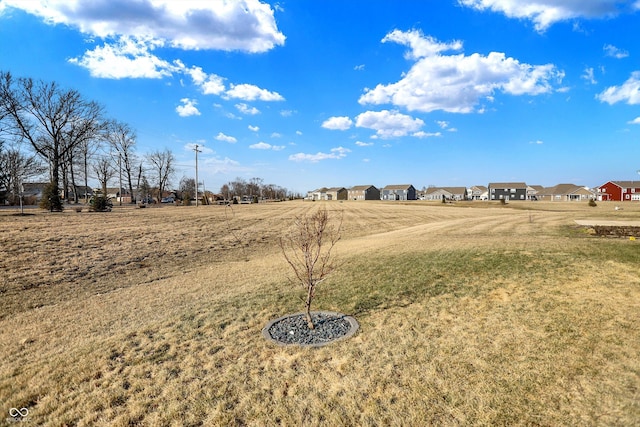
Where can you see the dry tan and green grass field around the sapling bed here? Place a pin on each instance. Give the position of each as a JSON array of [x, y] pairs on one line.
[[470, 314]]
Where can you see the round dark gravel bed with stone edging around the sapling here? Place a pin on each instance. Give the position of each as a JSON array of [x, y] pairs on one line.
[[293, 329]]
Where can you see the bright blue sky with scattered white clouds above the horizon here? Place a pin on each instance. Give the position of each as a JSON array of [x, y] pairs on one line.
[[305, 94]]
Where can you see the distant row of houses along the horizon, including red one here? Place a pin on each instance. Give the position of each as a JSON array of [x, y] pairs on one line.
[[618, 191]]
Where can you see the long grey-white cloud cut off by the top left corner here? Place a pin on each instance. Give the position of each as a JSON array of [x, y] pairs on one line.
[[245, 25]]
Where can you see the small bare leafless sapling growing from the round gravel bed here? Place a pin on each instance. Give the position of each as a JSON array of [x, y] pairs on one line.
[[307, 248]]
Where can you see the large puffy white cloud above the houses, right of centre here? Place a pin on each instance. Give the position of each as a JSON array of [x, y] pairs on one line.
[[456, 83]]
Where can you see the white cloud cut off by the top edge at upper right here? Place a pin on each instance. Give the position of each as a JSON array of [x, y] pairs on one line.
[[545, 13]]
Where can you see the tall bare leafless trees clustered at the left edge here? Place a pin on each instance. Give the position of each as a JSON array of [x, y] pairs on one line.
[[47, 128]]
